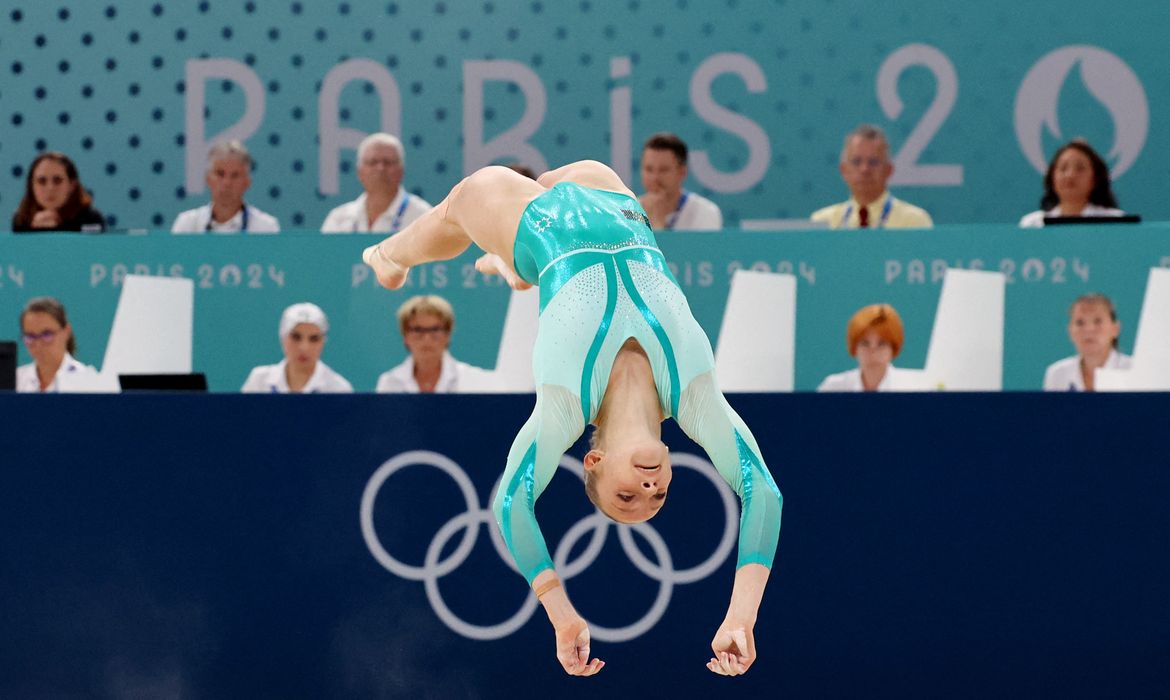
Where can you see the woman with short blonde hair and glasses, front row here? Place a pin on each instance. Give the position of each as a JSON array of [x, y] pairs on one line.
[[426, 324]]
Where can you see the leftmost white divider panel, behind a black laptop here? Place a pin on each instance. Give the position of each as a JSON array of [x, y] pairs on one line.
[[153, 327]]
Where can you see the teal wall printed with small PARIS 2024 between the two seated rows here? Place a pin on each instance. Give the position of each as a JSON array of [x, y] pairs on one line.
[[244, 283]]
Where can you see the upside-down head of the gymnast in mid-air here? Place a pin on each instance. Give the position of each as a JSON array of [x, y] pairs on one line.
[[631, 481]]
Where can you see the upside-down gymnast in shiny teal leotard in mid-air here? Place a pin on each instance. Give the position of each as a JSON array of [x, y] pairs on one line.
[[617, 348]]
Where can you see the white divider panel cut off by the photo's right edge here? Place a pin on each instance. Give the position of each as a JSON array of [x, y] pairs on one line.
[[1151, 370]]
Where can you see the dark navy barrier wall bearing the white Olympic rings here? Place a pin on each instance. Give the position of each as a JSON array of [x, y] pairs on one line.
[[978, 546]]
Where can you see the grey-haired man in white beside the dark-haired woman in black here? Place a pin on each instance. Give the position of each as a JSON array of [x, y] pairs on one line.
[[229, 177]]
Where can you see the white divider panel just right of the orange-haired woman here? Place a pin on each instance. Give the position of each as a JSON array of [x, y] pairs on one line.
[[967, 345]]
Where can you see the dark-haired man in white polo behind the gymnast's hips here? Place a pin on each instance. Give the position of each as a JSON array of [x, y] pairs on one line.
[[666, 203]]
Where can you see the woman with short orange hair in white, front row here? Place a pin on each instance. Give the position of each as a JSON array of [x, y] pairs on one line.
[[875, 337]]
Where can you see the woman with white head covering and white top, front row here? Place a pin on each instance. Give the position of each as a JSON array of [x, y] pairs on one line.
[[302, 332]]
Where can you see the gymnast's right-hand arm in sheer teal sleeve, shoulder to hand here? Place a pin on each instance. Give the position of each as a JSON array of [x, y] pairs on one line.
[[711, 422]]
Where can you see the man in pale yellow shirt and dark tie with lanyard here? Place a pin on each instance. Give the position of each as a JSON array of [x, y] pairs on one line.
[[866, 169]]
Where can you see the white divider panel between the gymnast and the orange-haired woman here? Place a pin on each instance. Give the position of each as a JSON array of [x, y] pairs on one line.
[[758, 339]]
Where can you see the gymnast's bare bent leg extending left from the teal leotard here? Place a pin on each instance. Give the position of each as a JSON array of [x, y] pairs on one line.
[[484, 209]]
